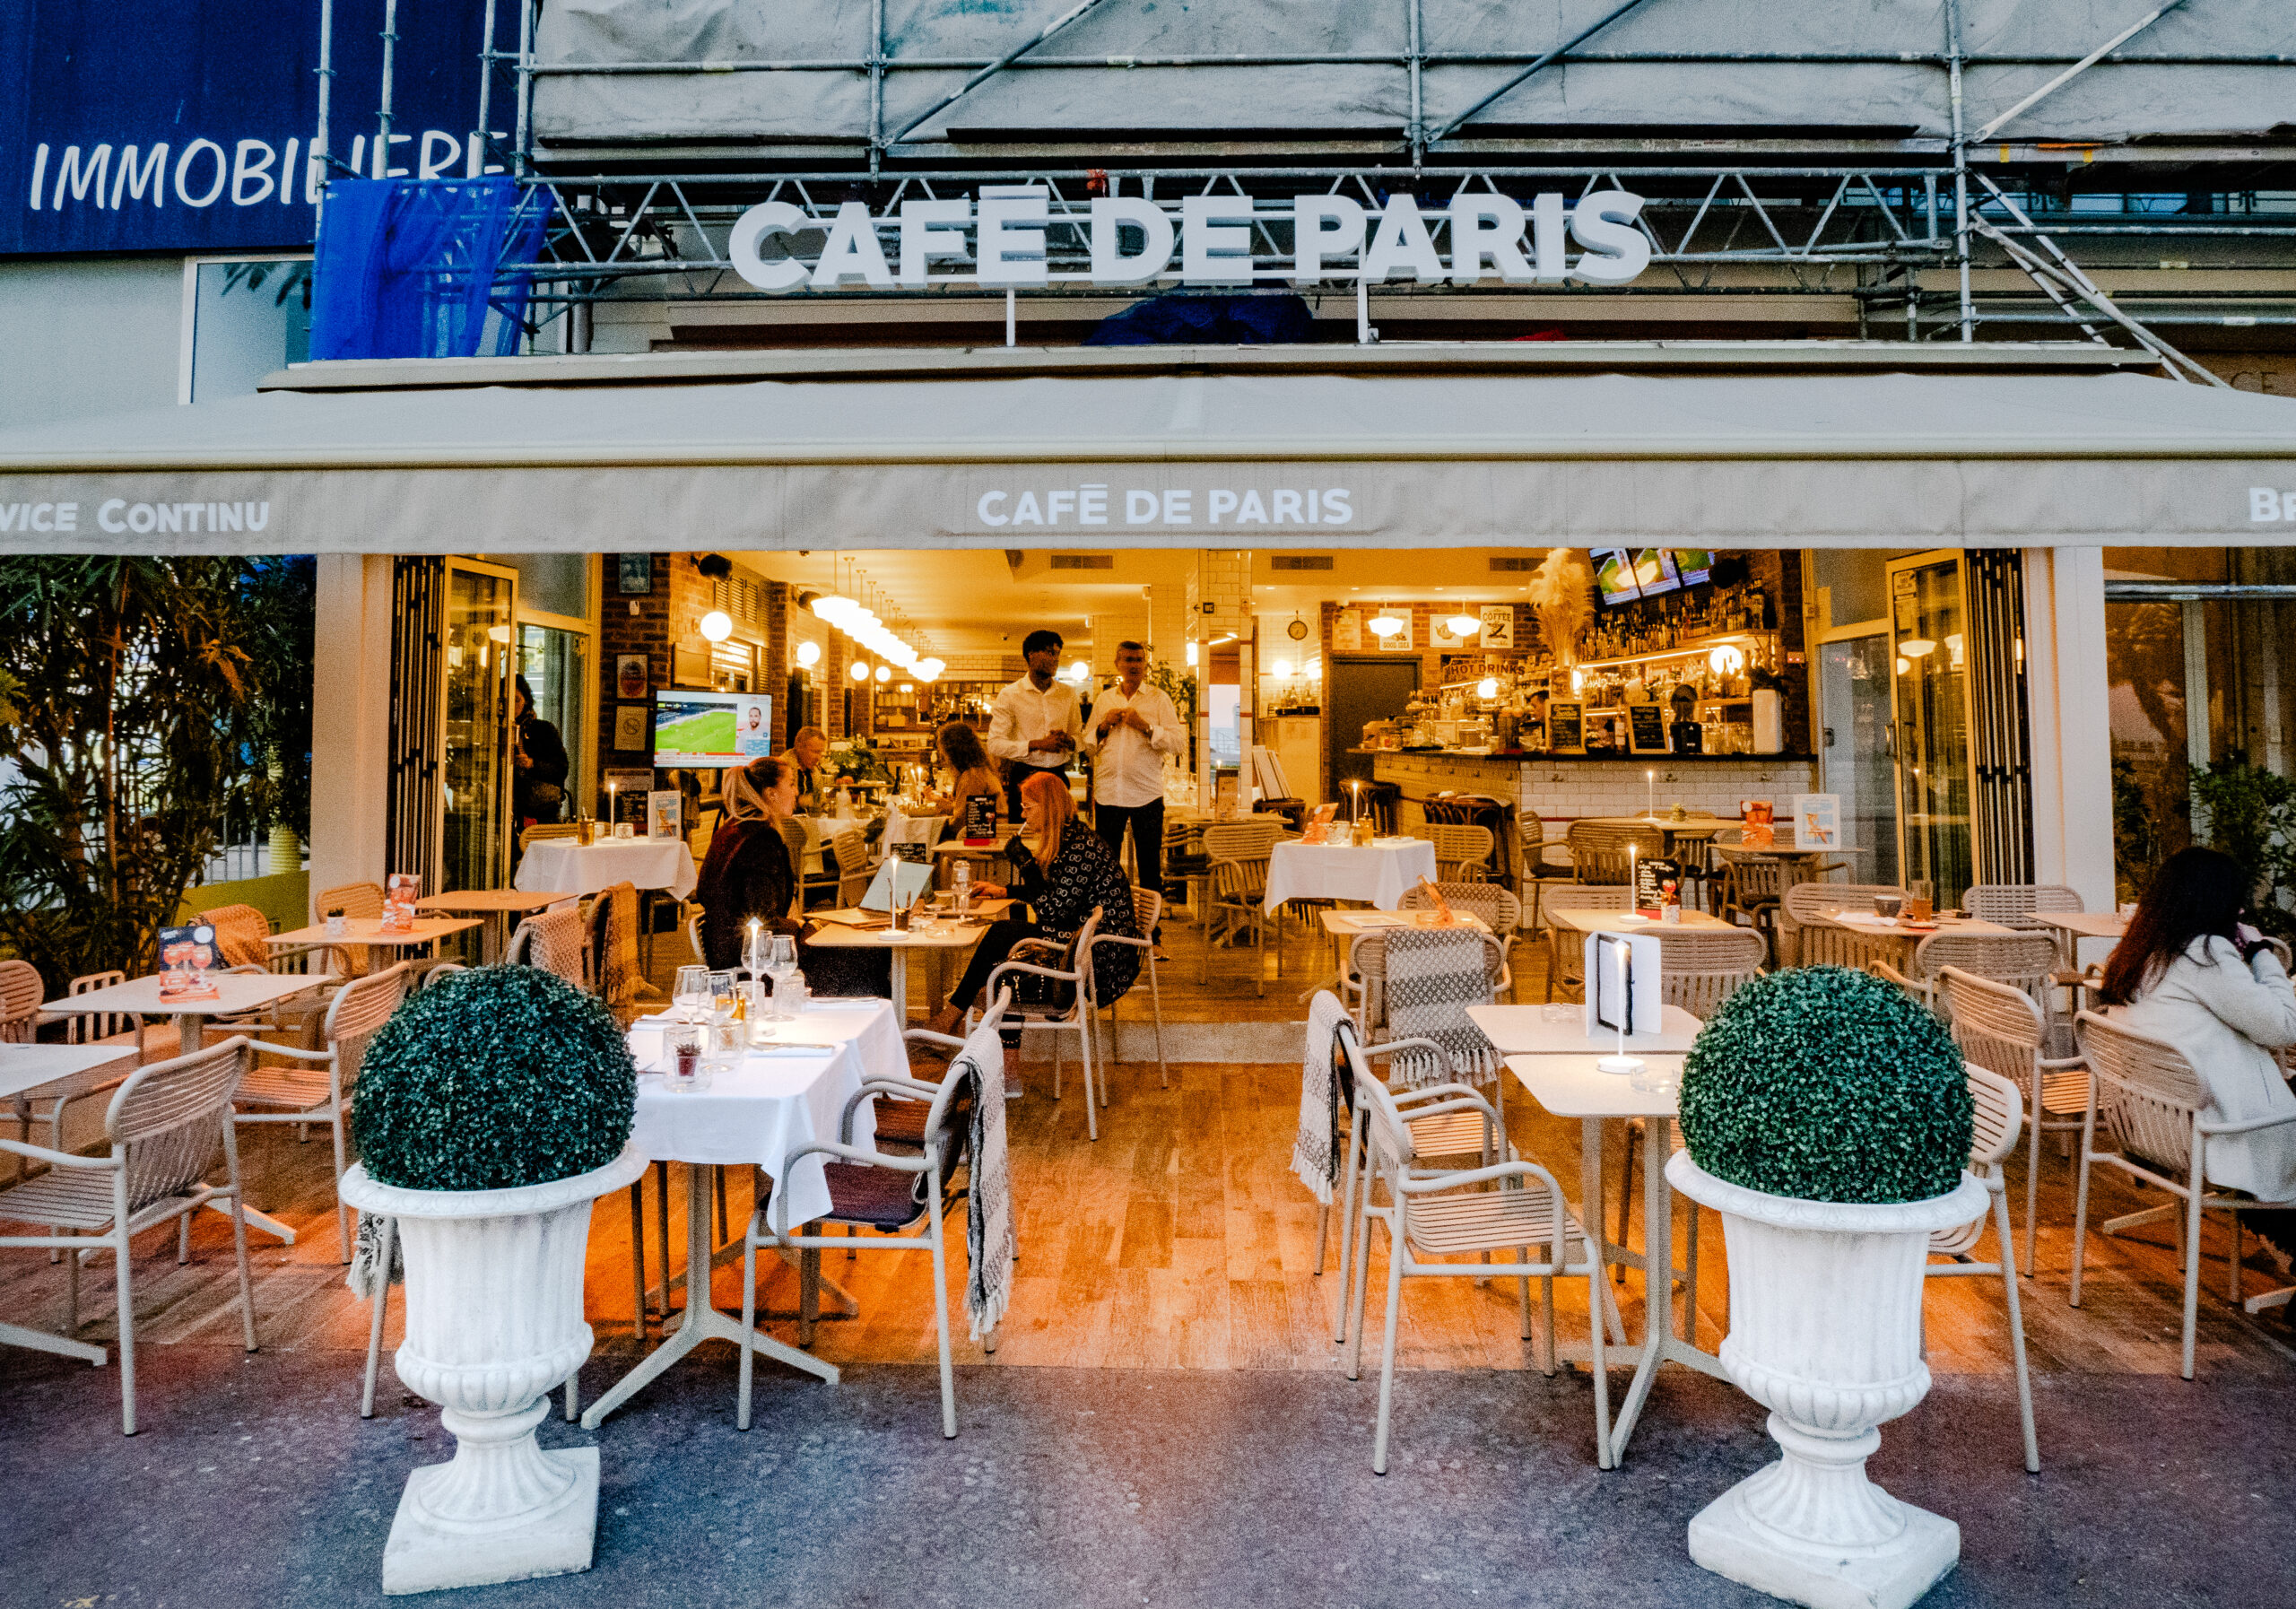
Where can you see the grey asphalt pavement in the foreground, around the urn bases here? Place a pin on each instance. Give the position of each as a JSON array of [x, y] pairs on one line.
[[254, 1482]]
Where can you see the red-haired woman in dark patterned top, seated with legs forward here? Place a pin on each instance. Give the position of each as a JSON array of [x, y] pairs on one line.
[[1066, 880]]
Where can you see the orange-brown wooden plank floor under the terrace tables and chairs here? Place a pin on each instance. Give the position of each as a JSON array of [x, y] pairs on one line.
[[1179, 1241]]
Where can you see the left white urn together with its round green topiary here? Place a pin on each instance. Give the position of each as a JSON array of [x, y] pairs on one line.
[[492, 1110]]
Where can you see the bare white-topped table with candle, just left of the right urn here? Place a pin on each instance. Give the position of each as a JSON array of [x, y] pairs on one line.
[[1572, 1087]]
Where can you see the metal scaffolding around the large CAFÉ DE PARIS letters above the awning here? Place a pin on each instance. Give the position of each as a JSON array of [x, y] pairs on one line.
[[1877, 215]]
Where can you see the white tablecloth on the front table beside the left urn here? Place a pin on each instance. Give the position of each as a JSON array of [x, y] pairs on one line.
[[773, 1103]]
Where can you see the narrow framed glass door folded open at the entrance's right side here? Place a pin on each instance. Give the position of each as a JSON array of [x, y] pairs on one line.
[[1932, 713]]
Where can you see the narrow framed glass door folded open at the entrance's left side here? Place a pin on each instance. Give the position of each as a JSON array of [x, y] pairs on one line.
[[474, 788]]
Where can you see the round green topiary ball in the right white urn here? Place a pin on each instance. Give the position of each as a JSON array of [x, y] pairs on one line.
[[1829, 1085]]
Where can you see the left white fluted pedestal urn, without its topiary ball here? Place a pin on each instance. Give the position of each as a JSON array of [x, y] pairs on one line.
[[495, 1321]]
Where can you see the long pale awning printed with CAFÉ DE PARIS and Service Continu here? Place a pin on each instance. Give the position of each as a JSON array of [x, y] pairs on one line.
[[1264, 449]]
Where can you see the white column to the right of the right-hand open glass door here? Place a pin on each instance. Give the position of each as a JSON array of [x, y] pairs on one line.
[[2072, 731]]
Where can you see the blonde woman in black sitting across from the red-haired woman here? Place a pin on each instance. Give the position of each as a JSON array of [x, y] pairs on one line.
[[750, 878]]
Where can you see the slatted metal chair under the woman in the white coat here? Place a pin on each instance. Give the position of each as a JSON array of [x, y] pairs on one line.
[[2152, 1101]]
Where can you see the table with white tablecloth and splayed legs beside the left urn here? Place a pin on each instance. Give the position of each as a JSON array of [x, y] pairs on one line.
[[775, 1101]]
